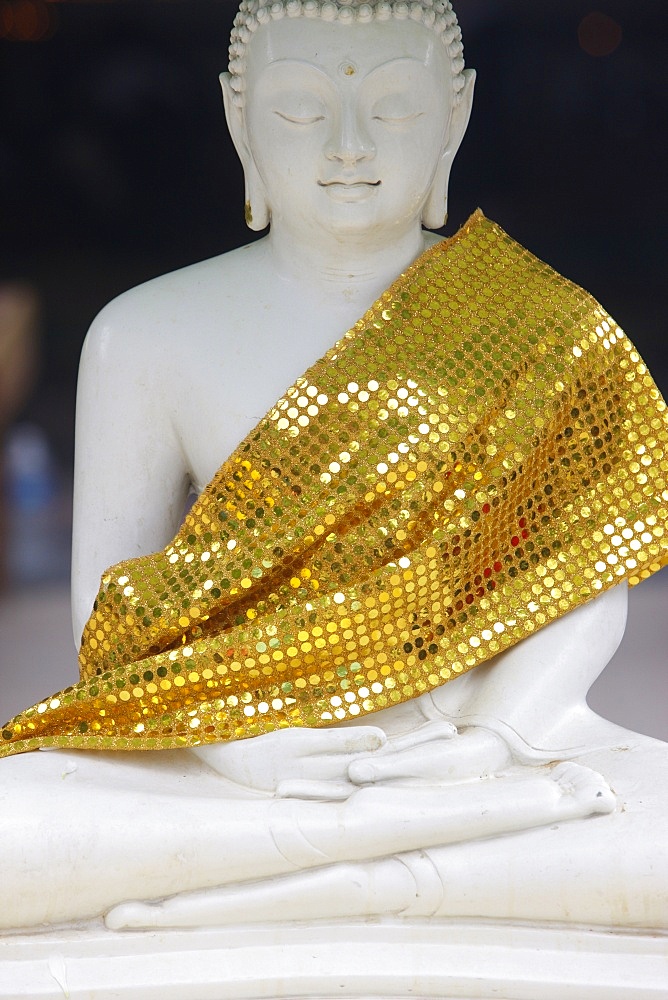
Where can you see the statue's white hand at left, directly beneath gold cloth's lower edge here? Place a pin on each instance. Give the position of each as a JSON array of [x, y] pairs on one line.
[[309, 763]]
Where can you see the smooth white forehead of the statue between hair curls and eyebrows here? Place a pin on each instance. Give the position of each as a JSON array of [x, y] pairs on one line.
[[346, 53]]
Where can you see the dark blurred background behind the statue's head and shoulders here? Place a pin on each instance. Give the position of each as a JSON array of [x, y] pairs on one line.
[[115, 164]]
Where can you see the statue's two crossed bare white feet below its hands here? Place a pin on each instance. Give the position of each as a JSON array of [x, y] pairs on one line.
[[389, 826]]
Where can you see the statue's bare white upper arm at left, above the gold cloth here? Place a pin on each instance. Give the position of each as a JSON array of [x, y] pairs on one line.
[[130, 480]]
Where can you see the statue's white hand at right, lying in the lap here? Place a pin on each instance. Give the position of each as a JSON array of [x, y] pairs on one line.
[[426, 757]]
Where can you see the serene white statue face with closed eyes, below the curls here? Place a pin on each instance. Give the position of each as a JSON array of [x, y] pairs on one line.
[[346, 124]]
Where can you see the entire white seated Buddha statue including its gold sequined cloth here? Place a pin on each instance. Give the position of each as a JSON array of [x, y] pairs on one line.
[[353, 682]]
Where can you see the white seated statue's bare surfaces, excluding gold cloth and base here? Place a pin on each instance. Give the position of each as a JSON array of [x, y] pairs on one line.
[[499, 796]]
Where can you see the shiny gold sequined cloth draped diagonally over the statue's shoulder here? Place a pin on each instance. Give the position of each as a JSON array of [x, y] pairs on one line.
[[481, 453]]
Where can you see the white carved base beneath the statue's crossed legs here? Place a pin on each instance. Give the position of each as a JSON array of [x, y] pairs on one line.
[[434, 959]]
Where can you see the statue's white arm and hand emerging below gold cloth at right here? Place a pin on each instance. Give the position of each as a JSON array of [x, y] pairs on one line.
[[525, 703]]
